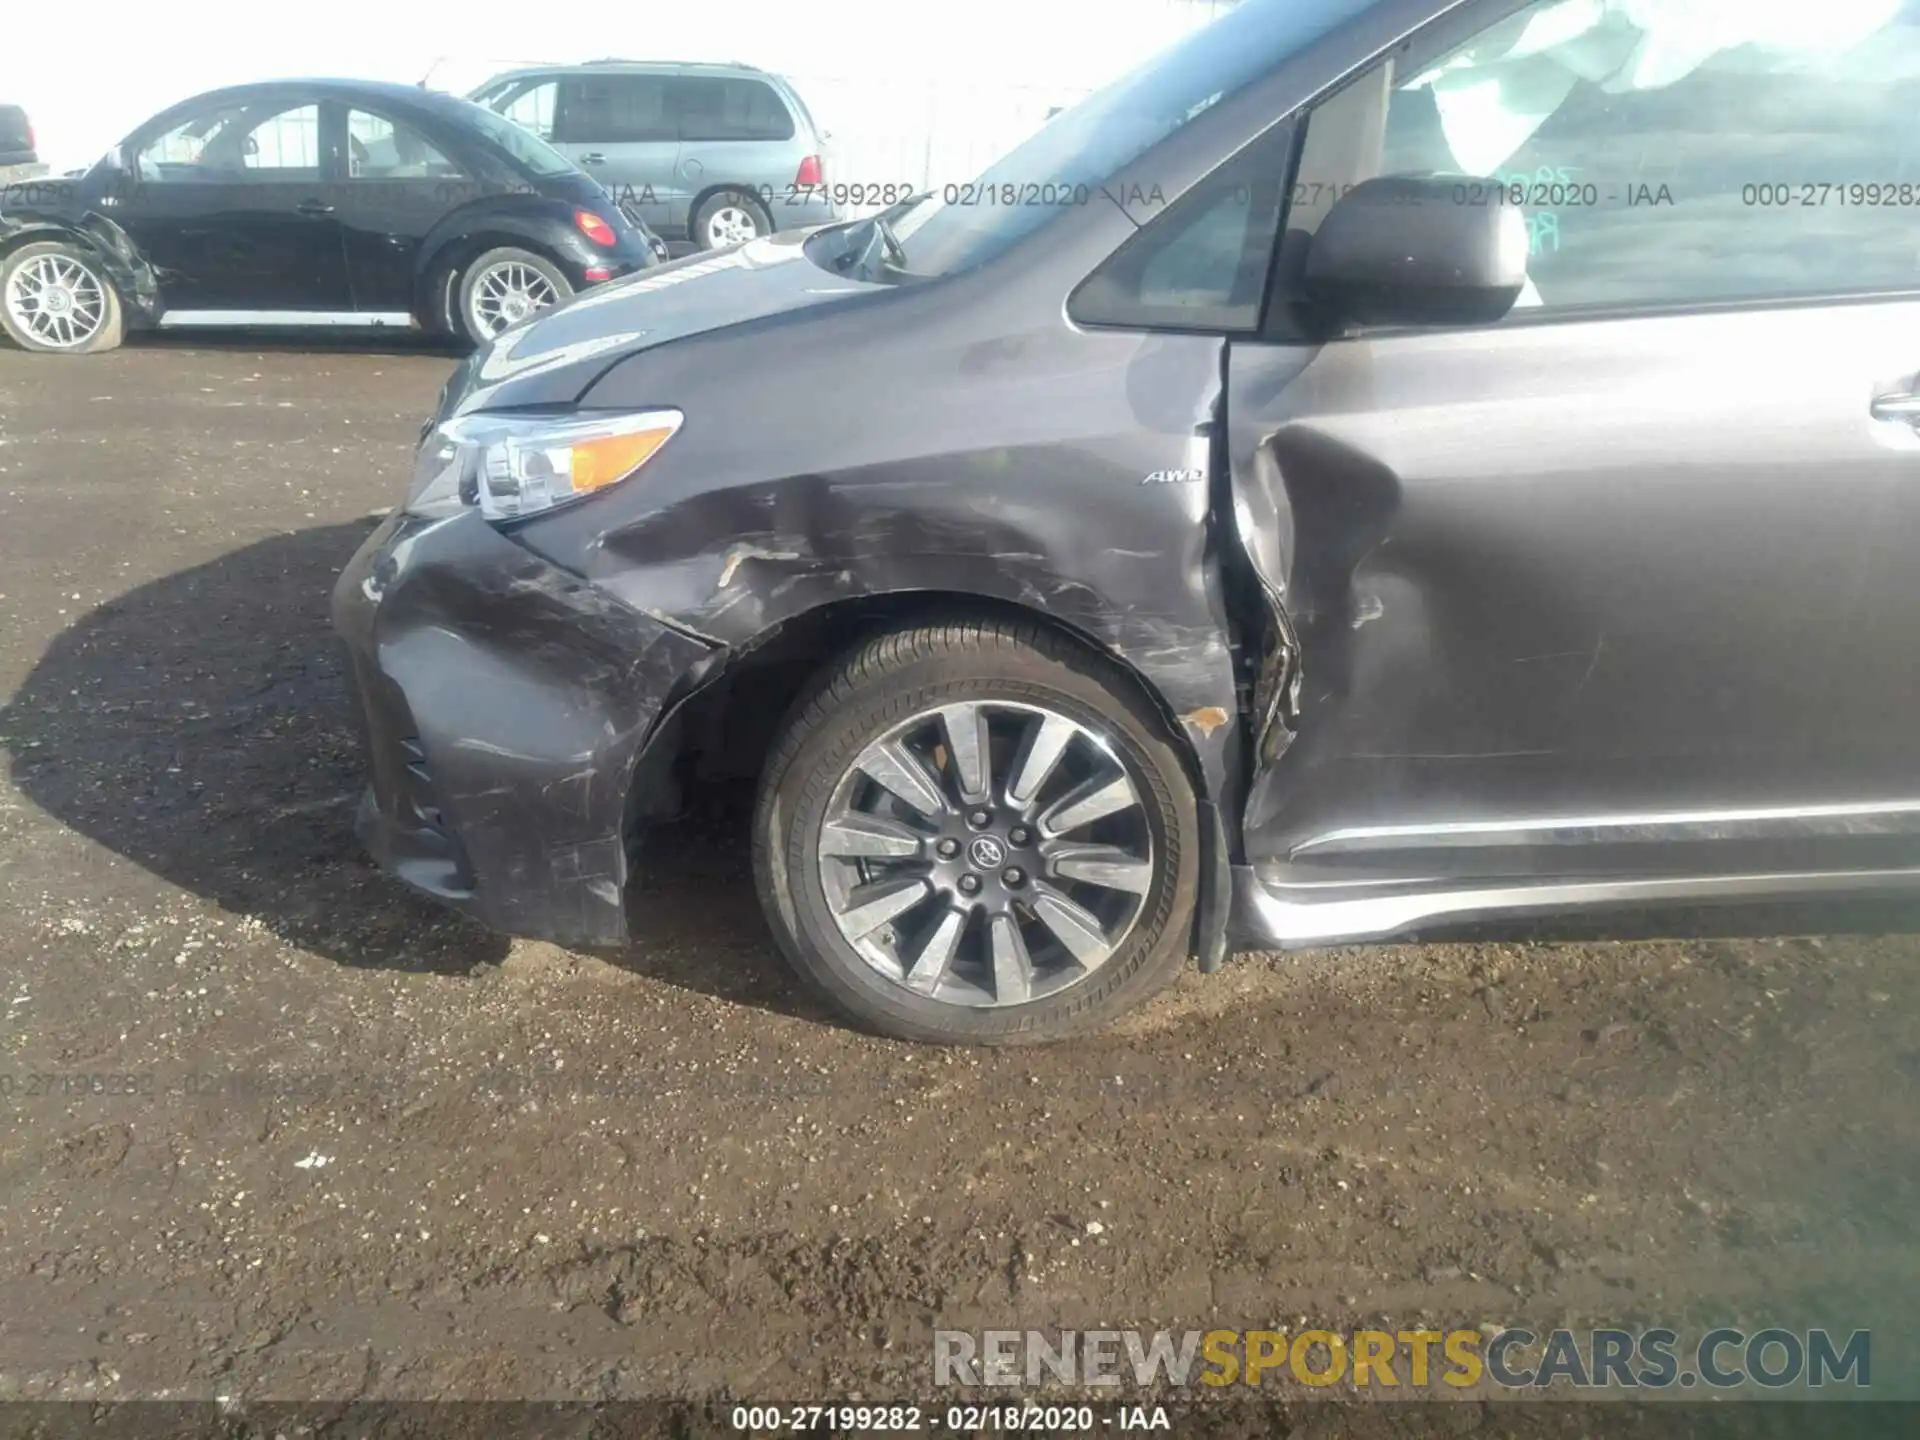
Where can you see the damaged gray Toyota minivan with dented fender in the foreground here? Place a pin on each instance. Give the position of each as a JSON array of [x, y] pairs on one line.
[[1383, 462]]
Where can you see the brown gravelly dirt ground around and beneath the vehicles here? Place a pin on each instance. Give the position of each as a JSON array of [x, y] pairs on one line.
[[274, 1128]]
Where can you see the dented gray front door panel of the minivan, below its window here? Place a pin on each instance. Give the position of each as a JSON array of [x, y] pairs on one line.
[[1587, 598]]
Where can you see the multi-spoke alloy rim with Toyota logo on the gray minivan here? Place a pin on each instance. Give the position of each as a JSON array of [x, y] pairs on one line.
[[988, 853]]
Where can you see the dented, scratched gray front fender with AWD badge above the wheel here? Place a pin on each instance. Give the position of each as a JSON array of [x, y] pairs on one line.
[[884, 498]]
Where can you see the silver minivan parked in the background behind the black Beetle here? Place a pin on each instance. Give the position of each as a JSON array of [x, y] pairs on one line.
[[709, 155]]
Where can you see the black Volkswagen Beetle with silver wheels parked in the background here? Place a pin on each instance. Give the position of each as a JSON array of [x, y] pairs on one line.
[[310, 204]]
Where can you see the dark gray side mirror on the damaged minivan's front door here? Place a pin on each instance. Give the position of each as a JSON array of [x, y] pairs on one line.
[[1418, 251]]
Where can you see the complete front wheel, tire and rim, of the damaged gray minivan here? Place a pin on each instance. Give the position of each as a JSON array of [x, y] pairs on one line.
[[1113, 961]]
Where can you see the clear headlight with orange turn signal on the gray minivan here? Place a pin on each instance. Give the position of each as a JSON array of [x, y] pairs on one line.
[[514, 466]]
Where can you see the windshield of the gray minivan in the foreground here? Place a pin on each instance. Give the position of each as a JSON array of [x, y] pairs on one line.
[[1068, 158]]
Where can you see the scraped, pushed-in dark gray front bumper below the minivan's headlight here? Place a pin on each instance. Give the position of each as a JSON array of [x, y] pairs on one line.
[[506, 711]]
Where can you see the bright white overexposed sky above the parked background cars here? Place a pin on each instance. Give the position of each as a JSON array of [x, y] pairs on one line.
[[969, 68]]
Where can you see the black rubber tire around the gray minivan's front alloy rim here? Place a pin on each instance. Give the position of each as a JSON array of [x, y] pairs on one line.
[[901, 675]]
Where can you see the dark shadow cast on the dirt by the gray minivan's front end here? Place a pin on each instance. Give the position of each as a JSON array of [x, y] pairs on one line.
[[203, 729]]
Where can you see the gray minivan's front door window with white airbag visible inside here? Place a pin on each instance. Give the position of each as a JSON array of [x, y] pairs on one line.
[[1666, 155]]
